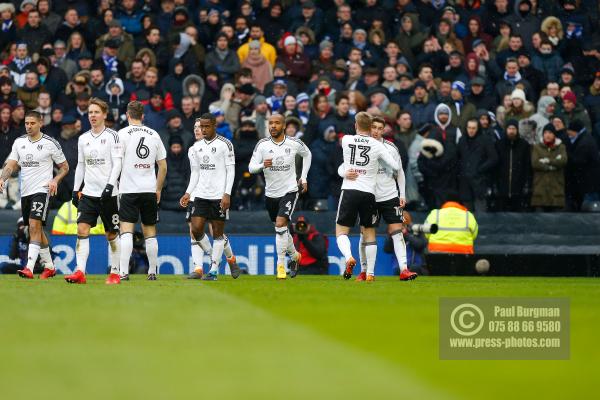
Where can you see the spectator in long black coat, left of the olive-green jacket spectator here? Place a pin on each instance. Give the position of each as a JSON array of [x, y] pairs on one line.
[[513, 177]]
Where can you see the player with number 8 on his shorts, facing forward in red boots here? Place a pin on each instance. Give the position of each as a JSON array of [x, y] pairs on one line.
[[98, 168]]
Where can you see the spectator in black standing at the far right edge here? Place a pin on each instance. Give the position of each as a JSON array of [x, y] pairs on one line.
[[583, 166]]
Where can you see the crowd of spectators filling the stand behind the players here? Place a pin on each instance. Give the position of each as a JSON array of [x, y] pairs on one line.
[[497, 99]]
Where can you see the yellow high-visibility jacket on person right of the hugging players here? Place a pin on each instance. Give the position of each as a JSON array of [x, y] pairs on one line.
[[457, 229]]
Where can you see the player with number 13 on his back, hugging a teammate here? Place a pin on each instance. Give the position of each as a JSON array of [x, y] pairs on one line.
[[363, 155]]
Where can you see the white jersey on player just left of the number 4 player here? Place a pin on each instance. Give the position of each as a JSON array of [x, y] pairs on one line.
[[210, 160]]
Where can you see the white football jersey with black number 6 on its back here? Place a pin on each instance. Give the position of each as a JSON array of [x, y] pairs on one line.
[[142, 147]]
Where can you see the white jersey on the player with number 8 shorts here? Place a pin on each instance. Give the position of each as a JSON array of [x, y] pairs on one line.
[[97, 153]]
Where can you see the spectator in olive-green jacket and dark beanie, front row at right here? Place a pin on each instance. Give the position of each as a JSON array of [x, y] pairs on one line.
[[548, 160]]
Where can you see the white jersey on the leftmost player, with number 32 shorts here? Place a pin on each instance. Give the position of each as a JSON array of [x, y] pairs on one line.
[[36, 160]]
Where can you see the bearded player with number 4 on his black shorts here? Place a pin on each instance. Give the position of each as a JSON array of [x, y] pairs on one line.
[[276, 157]]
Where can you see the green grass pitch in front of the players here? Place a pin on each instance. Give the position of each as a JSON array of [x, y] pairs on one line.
[[257, 338]]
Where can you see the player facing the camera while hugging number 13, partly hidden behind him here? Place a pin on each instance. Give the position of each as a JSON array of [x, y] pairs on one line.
[[390, 199]]
